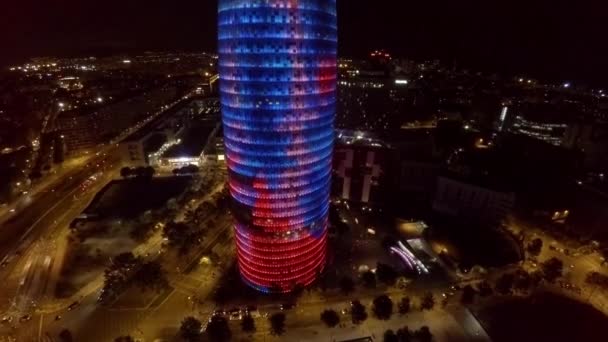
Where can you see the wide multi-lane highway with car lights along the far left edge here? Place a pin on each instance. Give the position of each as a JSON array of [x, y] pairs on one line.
[[34, 257]]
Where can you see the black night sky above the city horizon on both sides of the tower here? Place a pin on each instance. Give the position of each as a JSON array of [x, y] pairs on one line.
[[561, 40]]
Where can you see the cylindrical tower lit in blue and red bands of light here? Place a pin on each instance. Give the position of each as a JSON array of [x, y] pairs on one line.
[[277, 61]]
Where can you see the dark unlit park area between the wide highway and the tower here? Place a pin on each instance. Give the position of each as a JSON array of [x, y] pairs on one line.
[[123, 215]]
